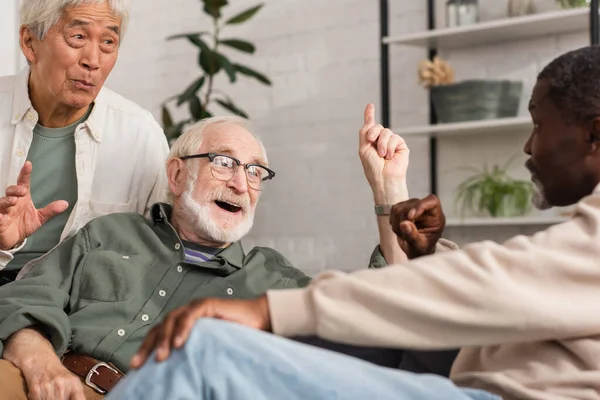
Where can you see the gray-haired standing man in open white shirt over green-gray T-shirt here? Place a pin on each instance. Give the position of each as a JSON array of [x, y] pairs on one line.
[[70, 149]]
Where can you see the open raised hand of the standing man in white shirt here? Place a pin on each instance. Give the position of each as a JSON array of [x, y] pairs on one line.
[[18, 216]]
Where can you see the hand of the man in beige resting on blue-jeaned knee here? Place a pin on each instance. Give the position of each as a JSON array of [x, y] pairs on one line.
[[175, 329]]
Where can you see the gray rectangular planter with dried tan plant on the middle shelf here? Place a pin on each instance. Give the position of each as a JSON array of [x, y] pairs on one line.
[[468, 100]]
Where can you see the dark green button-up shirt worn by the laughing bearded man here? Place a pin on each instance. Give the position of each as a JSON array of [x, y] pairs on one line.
[[101, 291]]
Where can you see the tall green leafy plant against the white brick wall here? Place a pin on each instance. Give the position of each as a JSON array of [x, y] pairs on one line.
[[201, 94]]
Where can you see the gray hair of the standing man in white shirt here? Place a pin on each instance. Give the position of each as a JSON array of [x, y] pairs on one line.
[[41, 15]]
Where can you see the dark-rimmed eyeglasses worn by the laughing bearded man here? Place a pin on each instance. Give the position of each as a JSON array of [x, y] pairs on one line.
[[224, 168]]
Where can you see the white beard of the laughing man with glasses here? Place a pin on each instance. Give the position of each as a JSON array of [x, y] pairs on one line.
[[199, 218]]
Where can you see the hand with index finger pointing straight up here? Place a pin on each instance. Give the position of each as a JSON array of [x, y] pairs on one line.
[[384, 156]]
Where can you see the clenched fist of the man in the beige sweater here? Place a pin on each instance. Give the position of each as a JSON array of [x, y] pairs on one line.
[[419, 224]]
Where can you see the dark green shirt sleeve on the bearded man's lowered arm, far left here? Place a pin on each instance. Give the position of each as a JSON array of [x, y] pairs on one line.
[[41, 296]]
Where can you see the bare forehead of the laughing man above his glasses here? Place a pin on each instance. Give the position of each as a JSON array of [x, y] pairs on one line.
[[235, 141]]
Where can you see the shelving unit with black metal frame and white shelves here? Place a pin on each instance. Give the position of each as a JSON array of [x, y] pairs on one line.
[[497, 31]]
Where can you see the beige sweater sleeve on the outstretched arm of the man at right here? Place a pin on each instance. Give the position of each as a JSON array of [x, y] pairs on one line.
[[528, 289]]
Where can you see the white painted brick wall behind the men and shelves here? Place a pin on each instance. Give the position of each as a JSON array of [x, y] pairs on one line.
[[323, 58]]
